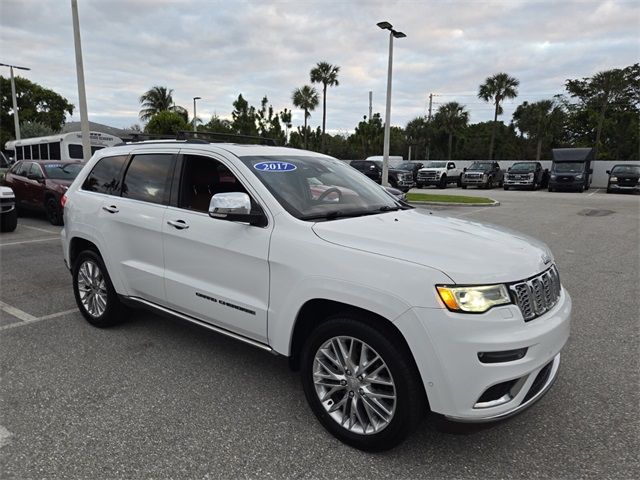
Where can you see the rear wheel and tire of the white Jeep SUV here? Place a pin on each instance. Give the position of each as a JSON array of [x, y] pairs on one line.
[[99, 283]]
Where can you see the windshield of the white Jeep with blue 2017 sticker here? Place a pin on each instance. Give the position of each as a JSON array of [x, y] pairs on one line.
[[319, 188]]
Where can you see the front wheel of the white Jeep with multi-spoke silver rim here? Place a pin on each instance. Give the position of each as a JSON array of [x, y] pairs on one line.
[[409, 399]]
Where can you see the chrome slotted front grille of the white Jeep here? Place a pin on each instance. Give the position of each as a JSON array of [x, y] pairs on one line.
[[538, 294]]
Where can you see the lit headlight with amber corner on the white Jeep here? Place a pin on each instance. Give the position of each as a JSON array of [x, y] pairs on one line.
[[476, 299]]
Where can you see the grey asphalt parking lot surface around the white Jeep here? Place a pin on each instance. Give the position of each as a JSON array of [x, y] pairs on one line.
[[157, 398]]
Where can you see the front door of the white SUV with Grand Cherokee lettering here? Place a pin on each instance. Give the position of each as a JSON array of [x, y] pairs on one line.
[[215, 270]]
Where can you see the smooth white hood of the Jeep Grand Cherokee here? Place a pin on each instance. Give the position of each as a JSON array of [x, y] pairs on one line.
[[468, 252]]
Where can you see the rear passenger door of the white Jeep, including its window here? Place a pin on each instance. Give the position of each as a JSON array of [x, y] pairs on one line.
[[132, 224]]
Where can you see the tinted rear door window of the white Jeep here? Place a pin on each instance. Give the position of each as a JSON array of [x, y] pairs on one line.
[[148, 178]]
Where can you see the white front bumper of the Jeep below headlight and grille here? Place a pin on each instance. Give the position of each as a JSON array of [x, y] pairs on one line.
[[445, 346]]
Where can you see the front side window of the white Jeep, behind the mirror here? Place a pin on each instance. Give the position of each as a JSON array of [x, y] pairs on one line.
[[202, 178]]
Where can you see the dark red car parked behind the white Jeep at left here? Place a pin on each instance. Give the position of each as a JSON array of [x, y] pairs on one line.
[[39, 185]]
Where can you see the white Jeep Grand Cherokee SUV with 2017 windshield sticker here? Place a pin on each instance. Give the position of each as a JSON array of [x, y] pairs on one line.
[[387, 310]]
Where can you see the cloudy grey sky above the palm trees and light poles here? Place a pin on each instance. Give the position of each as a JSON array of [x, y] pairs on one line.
[[218, 49]]
